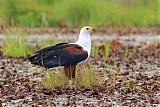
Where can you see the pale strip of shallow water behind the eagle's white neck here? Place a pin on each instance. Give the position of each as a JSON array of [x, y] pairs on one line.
[[131, 37]]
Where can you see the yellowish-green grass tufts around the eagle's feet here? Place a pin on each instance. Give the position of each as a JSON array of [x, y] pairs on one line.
[[86, 77]]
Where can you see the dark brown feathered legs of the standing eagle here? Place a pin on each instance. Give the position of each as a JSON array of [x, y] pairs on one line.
[[70, 71]]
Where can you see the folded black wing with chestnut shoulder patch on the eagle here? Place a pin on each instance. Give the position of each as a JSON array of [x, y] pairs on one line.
[[63, 54]]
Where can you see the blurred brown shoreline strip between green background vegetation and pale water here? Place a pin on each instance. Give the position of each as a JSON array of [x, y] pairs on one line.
[[73, 30]]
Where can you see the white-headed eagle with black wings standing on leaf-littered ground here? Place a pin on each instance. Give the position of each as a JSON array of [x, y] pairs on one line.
[[65, 54]]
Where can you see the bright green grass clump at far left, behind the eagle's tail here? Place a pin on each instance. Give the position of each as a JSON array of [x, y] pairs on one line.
[[16, 45]]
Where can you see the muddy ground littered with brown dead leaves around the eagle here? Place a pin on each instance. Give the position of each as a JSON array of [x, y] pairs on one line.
[[136, 84]]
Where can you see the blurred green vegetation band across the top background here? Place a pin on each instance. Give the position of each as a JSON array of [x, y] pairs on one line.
[[77, 13]]
